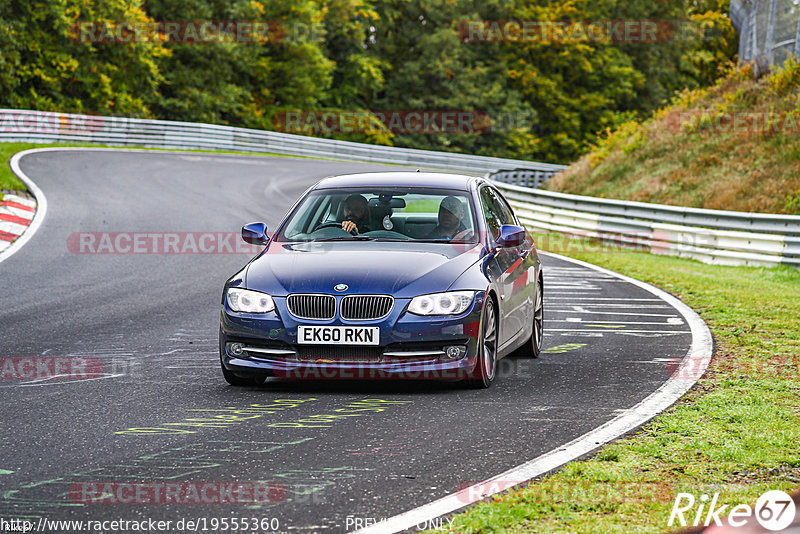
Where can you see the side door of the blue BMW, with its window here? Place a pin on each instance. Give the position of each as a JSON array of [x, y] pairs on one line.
[[508, 270]]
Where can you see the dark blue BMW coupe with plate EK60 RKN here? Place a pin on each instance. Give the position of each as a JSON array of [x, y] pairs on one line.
[[385, 275]]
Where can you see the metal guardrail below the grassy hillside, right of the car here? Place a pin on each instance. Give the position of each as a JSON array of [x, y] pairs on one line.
[[711, 236]]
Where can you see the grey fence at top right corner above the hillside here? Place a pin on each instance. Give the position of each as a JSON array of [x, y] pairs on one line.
[[769, 31]]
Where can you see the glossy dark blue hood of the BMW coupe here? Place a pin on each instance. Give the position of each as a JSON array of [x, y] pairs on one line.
[[400, 269]]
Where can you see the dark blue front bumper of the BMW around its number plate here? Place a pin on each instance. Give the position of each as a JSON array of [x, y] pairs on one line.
[[410, 346]]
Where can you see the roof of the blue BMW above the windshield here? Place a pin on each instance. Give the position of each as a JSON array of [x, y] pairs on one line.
[[401, 179]]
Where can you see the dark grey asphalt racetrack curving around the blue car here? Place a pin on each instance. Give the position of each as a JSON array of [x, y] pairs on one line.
[[333, 454]]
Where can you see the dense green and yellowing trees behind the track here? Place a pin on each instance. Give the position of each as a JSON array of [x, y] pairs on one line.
[[547, 99]]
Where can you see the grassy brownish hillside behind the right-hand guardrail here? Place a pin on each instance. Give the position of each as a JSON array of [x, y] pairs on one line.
[[733, 146]]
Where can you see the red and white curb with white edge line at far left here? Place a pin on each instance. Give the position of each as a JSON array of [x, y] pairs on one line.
[[20, 217]]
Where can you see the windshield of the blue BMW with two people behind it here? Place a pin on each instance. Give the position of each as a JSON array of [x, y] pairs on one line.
[[383, 214]]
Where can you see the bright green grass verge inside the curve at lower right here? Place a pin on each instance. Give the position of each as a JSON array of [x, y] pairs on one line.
[[737, 432]]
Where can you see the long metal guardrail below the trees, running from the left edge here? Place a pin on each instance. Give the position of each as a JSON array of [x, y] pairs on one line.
[[45, 127]]
